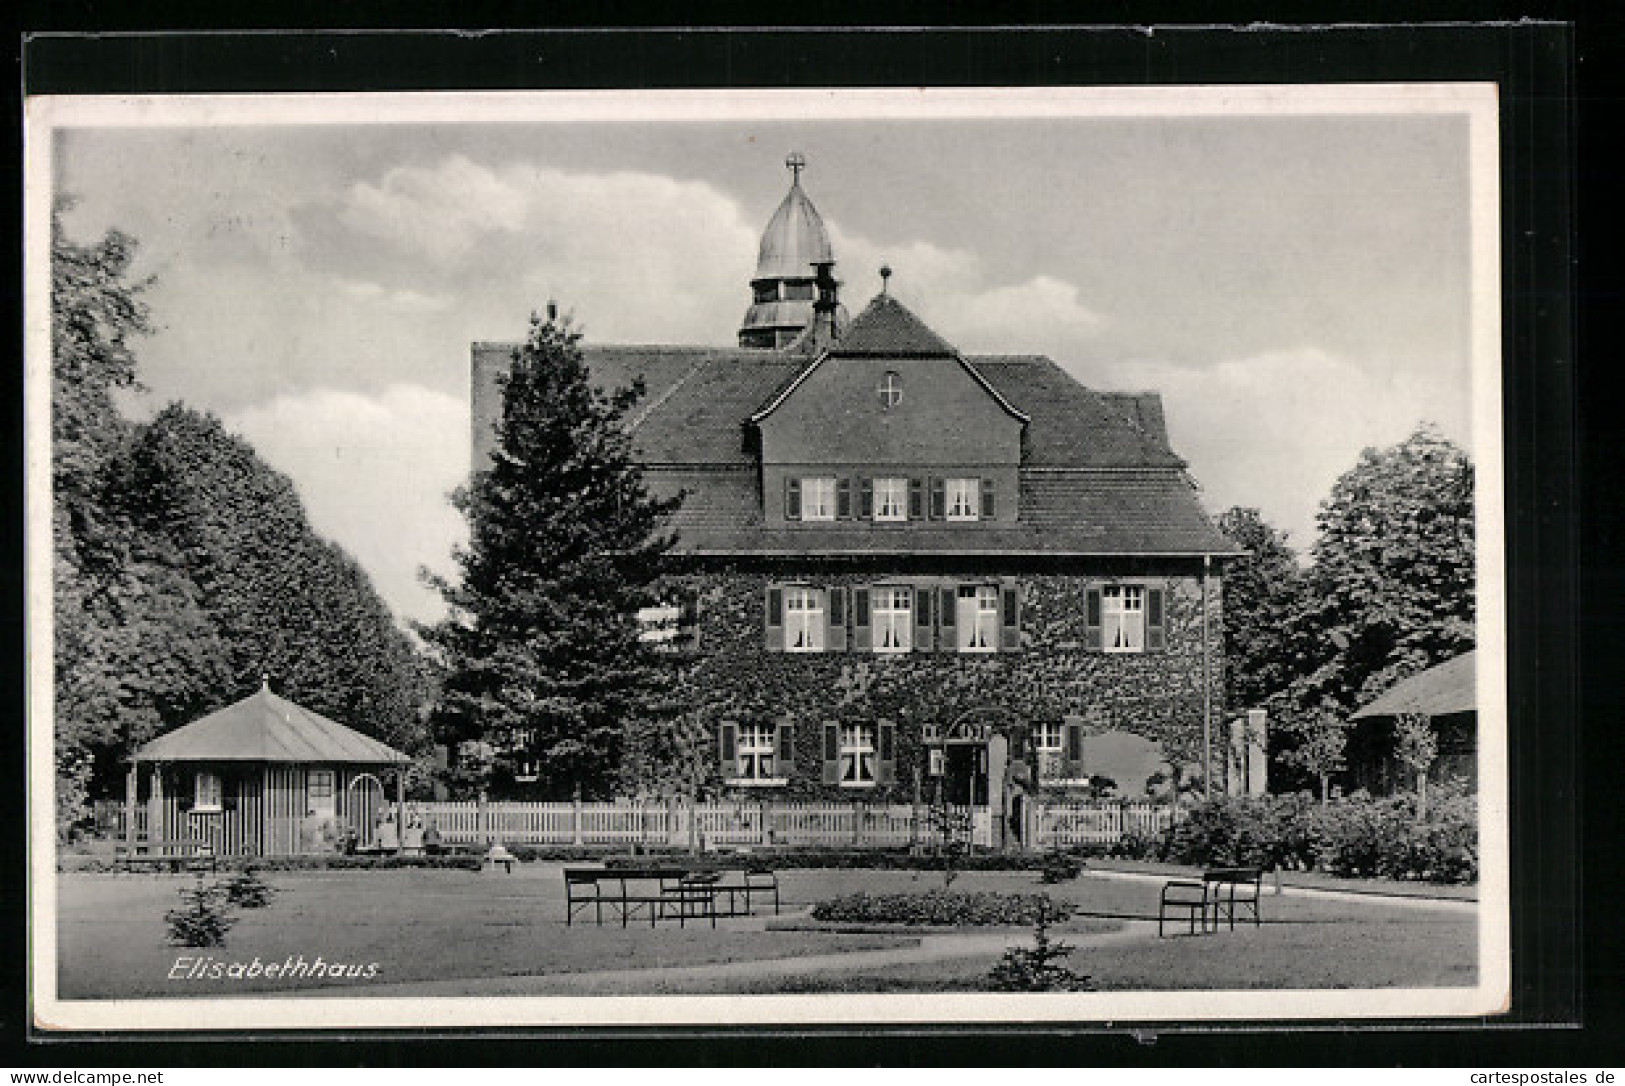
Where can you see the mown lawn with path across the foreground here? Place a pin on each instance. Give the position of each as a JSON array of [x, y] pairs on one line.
[[506, 932]]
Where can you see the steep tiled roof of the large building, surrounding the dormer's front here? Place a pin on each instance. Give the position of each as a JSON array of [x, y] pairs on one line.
[[1098, 476]]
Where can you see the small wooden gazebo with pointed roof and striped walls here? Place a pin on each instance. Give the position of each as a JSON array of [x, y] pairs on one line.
[[262, 778]]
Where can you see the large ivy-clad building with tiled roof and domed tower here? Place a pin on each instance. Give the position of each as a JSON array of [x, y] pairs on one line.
[[914, 568]]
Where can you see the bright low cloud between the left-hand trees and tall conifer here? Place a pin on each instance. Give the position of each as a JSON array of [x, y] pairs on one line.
[[375, 474]]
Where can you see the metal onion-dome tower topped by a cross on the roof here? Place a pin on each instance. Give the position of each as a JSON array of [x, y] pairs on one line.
[[794, 280]]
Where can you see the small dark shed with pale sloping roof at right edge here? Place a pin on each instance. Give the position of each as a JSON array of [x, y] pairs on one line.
[[1447, 695]]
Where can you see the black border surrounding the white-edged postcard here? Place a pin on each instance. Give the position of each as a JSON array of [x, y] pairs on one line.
[[1535, 64]]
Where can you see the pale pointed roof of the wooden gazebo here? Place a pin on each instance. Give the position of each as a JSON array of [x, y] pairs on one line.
[[269, 729]]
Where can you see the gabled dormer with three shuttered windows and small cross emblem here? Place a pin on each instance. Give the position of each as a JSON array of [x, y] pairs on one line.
[[891, 425]]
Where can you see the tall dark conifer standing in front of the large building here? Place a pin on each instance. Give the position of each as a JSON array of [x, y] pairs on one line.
[[542, 651]]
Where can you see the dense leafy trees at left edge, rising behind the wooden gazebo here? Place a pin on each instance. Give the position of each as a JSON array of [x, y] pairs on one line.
[[184, 568]]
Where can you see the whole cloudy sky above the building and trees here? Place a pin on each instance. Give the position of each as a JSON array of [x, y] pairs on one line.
[[1298, 287]]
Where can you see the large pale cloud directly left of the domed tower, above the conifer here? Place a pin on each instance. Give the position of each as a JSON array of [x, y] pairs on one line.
[[638, 258]]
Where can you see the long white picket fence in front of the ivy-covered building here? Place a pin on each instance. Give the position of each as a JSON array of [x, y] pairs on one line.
[[768, 825]]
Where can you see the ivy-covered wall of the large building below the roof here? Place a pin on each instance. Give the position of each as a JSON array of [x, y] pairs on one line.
[[732, 677]]
